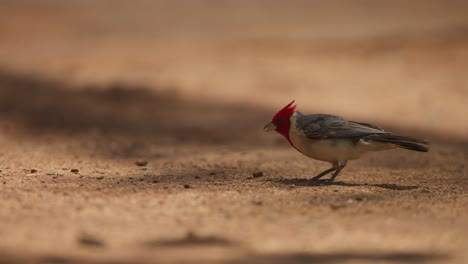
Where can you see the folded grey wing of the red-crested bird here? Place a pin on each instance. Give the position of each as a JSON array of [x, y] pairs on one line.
[[321, 126]]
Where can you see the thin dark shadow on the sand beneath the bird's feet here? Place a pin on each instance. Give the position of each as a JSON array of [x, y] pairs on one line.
[[322, 183]]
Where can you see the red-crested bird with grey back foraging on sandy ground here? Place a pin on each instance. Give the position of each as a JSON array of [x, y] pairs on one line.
[[335, 140]]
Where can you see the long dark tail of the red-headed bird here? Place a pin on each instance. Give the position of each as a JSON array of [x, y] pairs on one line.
[[400, 141]]
